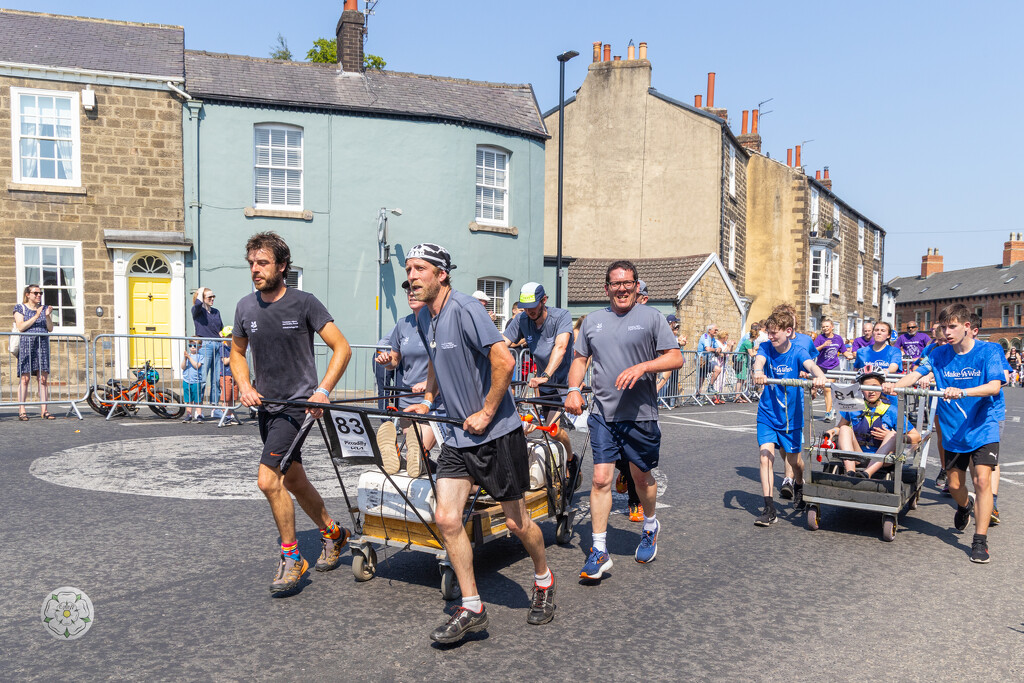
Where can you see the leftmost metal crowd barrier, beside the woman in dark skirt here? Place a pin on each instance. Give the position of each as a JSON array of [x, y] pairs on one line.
[[68, 380]]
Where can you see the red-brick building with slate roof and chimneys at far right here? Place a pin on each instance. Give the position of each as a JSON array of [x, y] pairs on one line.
[[995, 292]]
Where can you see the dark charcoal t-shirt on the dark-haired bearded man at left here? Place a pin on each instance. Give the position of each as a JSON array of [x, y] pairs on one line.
[[281, 339]]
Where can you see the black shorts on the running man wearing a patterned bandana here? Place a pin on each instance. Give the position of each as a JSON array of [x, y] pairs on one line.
[[501, 466]]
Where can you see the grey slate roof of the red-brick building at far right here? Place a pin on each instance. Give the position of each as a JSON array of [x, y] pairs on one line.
[[984, 281]]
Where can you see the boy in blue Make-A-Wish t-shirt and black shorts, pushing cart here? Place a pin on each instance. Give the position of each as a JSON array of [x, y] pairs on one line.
[[970, 375]]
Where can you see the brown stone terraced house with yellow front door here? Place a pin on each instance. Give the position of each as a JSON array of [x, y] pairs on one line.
[[92, 206]]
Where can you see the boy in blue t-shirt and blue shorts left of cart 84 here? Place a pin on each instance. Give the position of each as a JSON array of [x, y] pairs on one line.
[[781, 411]]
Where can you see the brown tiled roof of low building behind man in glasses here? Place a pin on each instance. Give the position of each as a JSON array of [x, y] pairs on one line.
[[665, 277]]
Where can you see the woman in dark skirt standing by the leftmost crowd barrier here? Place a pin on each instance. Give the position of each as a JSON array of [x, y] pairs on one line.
[[33, 352]]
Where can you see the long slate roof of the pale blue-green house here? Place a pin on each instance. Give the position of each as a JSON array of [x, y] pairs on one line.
[[233, 78]]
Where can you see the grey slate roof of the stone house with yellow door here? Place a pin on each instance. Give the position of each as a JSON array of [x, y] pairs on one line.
[[77, 42]]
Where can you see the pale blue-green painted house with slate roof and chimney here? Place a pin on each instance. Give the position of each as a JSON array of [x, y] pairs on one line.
[[323, 154]]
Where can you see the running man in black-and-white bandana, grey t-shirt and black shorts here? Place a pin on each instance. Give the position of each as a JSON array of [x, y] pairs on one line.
[[473, 367]]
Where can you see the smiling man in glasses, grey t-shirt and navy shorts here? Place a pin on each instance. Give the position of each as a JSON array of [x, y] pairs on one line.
[[629, 345]]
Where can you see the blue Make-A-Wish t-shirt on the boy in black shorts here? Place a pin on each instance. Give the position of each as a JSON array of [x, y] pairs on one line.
[[971, 422]]
